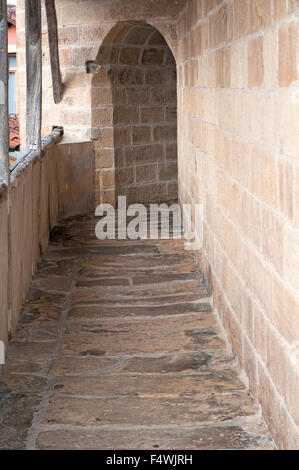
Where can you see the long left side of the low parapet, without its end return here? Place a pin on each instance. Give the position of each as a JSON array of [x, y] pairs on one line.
[[34, 211]]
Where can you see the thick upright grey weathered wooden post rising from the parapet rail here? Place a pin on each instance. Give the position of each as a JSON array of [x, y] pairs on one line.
[[33, 73]]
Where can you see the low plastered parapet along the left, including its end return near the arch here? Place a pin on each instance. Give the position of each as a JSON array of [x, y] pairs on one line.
[[42, 189]]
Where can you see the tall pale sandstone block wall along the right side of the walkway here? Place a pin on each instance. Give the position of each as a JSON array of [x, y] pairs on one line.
[[238, 156]]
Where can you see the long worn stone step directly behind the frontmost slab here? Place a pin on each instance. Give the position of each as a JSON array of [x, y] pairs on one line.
[[137, 411]]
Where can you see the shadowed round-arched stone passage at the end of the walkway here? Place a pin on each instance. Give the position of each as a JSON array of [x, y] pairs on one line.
[[134, 105]]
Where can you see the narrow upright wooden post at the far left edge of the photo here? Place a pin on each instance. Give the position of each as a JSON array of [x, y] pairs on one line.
[[4, 127]]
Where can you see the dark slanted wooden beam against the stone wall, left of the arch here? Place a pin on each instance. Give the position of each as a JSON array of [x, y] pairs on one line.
[[54, 51]]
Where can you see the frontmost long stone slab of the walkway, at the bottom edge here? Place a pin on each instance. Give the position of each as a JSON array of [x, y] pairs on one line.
[[230, 437]]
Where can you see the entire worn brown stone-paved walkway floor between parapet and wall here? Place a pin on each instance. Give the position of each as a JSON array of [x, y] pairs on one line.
[[118, 347]]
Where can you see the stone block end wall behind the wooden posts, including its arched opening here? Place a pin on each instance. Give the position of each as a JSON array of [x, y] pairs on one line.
[[92, 103]]
